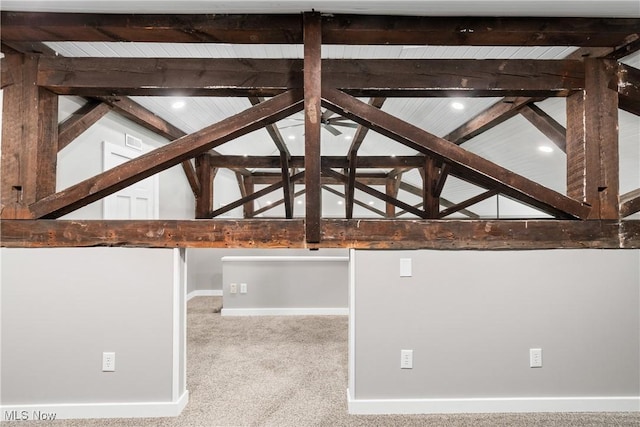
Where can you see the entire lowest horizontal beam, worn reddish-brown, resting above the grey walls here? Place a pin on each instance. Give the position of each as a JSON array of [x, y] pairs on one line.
[[337, 233]]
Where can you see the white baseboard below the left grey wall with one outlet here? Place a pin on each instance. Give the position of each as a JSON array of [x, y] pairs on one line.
[[94, 410]]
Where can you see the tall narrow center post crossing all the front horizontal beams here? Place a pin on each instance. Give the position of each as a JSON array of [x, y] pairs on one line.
[[312, 99]]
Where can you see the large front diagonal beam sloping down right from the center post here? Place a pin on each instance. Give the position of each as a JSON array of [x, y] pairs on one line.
[[479, 170]]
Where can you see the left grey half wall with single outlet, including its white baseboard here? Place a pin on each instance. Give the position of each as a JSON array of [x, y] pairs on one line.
[[62, 308]]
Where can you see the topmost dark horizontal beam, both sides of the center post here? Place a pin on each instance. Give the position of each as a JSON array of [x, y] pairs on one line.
[[336, 29]]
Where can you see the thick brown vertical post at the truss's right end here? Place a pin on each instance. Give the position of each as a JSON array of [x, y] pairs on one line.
[[592, 142]]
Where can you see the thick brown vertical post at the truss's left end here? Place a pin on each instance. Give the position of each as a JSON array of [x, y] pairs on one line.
[[29, 139]]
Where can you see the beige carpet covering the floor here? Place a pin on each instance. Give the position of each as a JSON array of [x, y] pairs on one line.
[[292, 371]]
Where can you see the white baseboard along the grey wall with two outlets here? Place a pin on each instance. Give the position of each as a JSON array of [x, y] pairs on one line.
[[493, 405]]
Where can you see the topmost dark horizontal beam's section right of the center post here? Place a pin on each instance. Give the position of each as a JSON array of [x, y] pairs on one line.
[[477, 31]]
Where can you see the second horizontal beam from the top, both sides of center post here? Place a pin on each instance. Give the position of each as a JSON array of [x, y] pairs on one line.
[[263, 77]]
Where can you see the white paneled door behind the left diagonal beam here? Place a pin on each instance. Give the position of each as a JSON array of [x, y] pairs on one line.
[[139, 200]]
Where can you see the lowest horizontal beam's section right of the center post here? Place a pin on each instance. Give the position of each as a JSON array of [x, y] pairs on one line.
[[480, 234]]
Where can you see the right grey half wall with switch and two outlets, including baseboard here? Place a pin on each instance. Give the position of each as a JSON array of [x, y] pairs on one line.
[[471, 318]]
